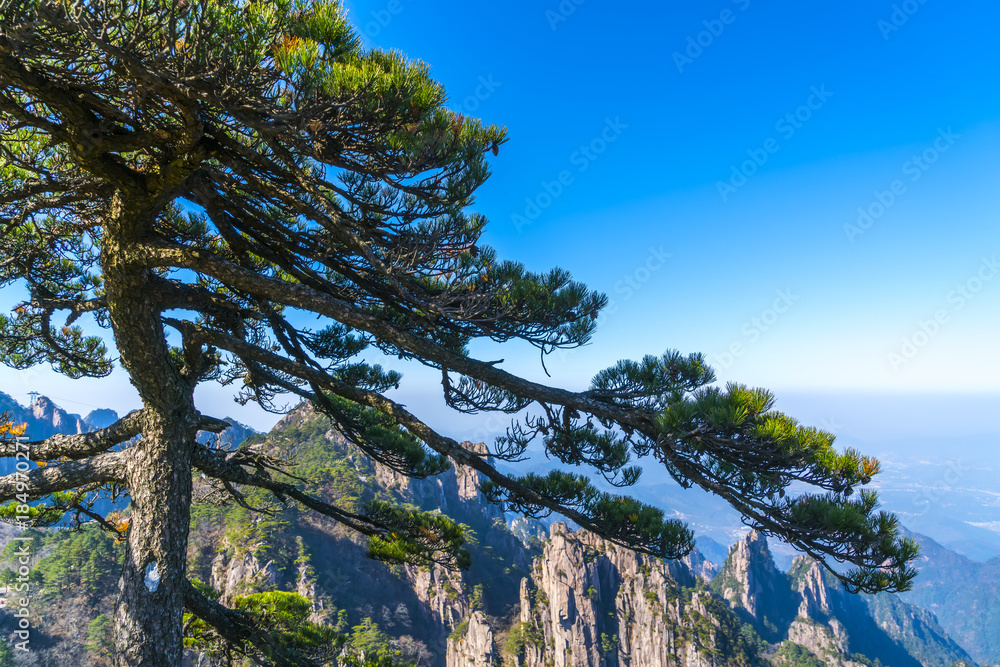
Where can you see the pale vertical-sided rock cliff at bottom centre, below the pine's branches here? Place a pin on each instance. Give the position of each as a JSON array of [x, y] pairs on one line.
[[589, 603]]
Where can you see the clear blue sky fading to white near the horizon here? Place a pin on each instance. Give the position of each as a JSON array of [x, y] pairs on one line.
[[713, 158]]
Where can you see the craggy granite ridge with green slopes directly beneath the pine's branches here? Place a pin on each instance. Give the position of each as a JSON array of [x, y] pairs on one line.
[[536, 595]]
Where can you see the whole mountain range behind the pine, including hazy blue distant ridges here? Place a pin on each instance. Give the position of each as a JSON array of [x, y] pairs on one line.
[[545, 595]]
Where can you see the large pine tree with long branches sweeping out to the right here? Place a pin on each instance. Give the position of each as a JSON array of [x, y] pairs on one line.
[[194, 176]]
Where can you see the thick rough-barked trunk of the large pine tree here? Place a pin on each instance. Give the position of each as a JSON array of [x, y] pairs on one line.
[[150, 606]]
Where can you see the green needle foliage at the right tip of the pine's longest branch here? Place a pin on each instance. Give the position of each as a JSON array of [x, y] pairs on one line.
[[703, 425]]
